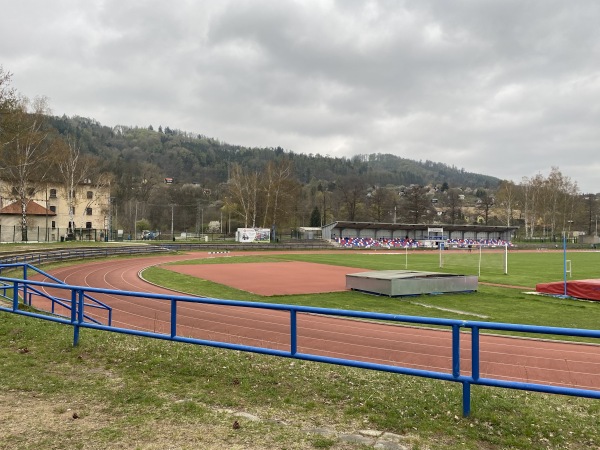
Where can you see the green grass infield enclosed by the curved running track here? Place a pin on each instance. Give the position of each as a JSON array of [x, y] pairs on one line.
[[491, 303]]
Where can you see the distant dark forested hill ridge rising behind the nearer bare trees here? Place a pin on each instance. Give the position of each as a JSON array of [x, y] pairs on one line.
[[131, 152]]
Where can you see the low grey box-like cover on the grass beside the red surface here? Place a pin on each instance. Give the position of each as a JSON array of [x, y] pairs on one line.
[[397, 283]]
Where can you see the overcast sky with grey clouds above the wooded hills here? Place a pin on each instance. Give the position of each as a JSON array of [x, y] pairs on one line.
[[508, 88]]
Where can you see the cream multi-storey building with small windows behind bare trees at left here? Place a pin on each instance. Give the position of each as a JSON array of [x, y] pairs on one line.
[[52, 217]]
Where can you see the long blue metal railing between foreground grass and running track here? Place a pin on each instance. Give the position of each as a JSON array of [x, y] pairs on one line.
[[78, 319]]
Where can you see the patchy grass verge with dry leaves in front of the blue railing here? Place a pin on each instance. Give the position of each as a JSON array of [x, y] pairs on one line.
[[116, 391]]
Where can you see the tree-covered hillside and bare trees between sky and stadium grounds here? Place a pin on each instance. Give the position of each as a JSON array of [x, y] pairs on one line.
[[164, 177]]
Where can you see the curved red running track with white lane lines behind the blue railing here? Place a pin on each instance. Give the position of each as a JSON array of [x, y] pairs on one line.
[[525, 360]]
